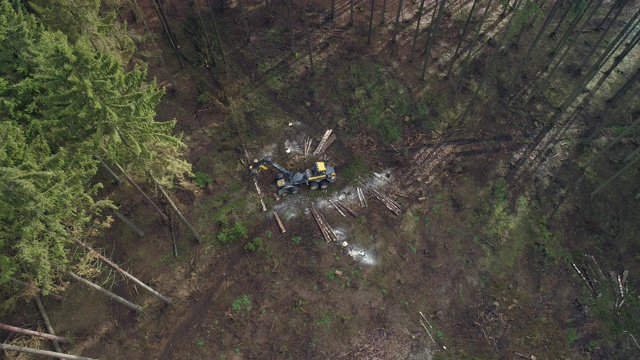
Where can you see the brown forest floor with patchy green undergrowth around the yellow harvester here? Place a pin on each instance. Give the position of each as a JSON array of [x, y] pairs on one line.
[[478, 264]]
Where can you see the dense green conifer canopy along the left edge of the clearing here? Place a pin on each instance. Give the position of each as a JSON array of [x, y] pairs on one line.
[[61, 103]]
